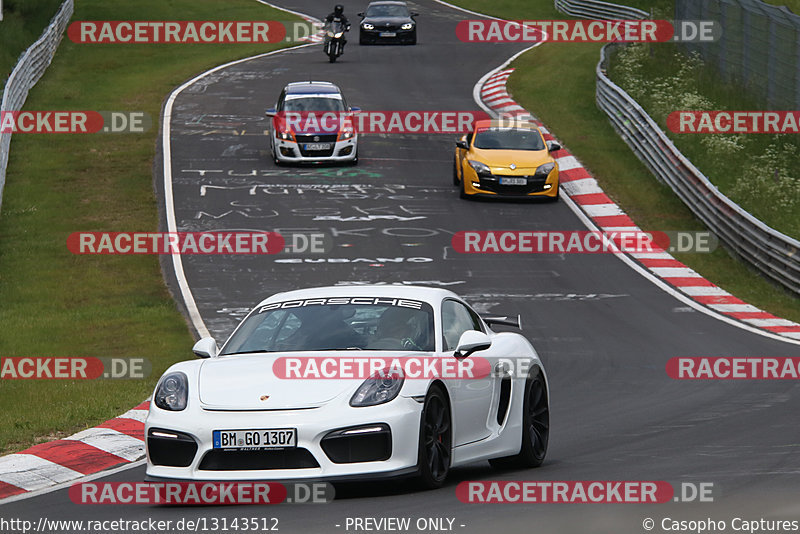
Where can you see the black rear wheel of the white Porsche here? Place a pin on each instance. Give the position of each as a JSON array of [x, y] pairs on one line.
[[535, 428]]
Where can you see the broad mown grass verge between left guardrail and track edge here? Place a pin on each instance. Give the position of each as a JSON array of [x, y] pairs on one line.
[[58, 304]]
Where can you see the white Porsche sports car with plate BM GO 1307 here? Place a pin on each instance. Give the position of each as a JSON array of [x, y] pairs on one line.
[[343, 382]]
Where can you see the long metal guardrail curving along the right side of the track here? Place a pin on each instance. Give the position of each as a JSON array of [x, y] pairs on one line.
[[775, 254]]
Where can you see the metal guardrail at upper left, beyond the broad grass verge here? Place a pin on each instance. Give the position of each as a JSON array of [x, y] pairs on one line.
[[30, 67]]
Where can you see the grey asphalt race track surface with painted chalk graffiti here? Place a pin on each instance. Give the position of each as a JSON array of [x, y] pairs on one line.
[[603, 330]]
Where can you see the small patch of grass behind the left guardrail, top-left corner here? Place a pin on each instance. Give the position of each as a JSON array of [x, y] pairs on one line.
[[23, 22]]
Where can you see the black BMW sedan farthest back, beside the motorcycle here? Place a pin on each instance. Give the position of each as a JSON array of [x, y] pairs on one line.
[[387, 21]]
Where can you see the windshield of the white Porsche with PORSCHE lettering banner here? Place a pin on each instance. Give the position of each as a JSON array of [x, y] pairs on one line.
[[339, 323]]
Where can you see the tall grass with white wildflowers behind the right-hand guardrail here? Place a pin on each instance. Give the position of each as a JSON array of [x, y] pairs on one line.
[[758, 172]]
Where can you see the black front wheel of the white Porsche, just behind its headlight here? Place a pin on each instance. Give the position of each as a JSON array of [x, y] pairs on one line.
[[435, 440]]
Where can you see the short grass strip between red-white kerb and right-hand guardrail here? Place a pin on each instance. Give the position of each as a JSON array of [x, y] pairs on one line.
[[557, 83]]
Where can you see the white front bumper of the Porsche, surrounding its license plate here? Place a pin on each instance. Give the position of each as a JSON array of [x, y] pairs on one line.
[[308, 461]]
